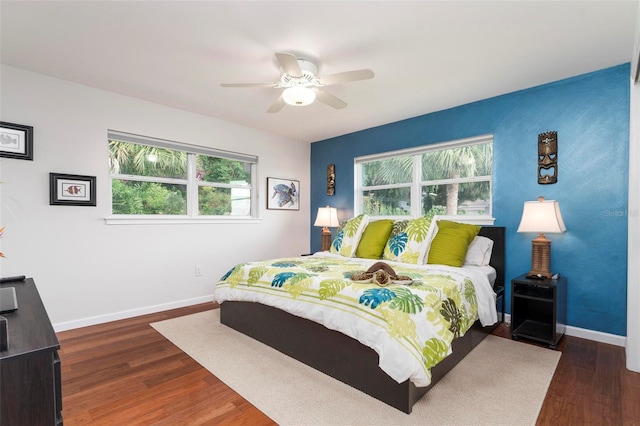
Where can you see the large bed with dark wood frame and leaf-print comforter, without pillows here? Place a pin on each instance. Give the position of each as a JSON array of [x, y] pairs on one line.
[[341, 351]]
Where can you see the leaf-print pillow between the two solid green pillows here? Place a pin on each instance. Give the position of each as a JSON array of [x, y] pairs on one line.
[[408, 241]]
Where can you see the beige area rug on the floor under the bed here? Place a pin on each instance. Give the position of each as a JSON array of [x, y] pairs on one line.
[[501, 382]]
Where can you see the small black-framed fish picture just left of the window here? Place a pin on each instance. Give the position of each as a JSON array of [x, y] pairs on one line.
[[72, 190]]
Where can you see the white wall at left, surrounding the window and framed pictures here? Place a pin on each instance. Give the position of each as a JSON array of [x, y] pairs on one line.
[[88, 272]]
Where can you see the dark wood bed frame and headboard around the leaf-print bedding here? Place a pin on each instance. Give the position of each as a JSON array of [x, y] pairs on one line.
[[327, 350]]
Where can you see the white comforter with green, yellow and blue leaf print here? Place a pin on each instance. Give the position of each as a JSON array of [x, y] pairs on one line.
[[411, 327]]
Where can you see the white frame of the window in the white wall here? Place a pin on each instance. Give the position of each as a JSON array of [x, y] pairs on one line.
[[191, 183]]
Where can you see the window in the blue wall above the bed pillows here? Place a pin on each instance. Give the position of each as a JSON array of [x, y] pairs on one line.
[[451, 178]]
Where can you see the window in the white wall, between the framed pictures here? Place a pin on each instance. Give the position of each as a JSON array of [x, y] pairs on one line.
[[153, 177]]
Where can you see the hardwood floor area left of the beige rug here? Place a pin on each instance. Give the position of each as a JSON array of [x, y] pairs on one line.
[[126, 373]]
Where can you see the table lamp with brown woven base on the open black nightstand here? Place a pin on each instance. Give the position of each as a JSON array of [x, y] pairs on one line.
[[541, 216]]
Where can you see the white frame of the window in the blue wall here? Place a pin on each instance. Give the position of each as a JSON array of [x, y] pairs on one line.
[[417, 183]]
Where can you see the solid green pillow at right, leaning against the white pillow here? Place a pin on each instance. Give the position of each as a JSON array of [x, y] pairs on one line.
[[450, 245]]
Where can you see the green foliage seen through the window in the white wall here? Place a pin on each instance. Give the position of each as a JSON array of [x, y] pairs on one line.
[[133, 194]]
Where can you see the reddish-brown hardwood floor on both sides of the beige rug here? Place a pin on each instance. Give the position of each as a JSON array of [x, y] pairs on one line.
[[126, 373]]
